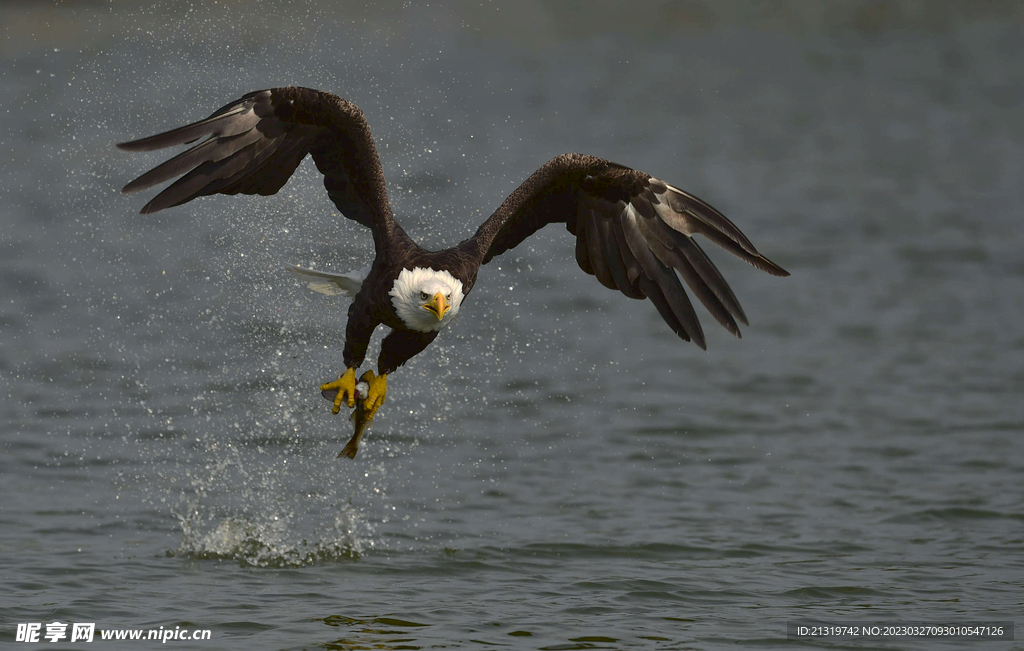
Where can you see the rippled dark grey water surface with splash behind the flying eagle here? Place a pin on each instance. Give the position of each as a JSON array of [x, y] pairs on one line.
[[558, 471]]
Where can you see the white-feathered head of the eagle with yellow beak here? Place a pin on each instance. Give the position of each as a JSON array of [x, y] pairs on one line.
[[426, 300]]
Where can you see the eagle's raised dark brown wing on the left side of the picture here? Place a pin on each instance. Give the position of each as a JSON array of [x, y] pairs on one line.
[[254, 145]]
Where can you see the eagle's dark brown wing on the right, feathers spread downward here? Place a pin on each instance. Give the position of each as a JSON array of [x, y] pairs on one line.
[[634, 233]]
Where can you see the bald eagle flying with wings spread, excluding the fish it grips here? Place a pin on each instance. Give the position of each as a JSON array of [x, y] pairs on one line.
[[633, 232]]
